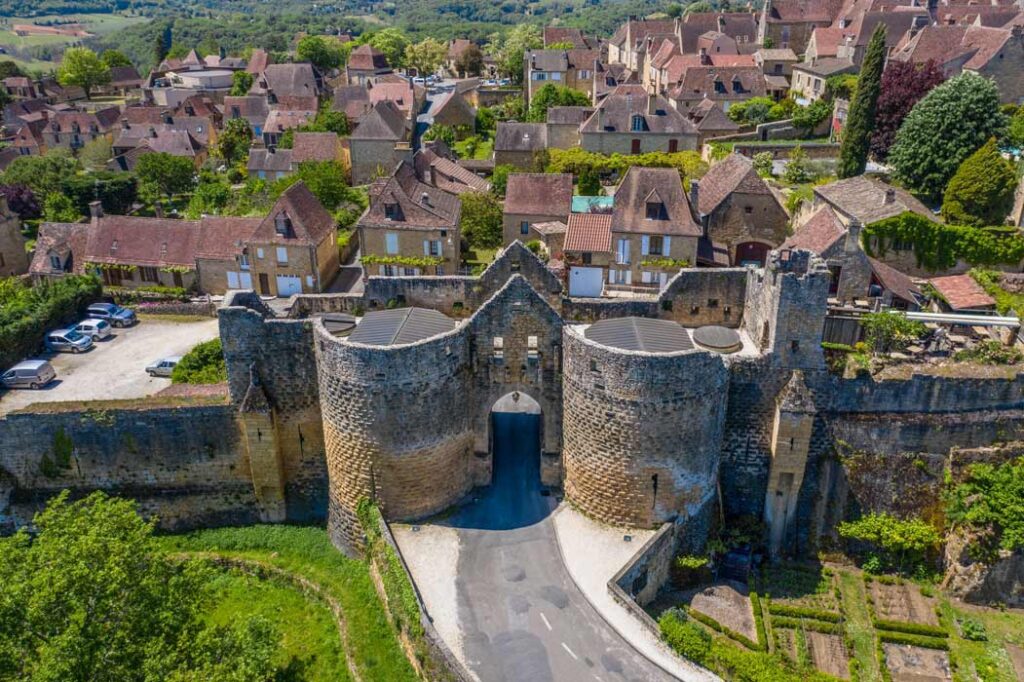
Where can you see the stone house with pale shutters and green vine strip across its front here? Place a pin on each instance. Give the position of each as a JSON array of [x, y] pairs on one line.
[[410, 228]]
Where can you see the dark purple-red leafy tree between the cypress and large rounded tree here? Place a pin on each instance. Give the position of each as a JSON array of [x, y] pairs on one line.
[[904, 86]]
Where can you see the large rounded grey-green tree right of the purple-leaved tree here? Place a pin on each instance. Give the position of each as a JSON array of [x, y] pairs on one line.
[[950, 124]]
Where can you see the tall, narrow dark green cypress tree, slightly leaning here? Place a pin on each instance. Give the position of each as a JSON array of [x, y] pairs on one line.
[[861, 121]]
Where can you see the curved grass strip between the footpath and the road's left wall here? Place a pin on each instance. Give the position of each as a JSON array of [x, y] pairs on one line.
[[308, 552]]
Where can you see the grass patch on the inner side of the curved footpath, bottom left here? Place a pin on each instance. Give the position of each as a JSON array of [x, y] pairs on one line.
[[311, 647]]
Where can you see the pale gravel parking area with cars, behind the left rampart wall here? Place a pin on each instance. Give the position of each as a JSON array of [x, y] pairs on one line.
[[115, 368]]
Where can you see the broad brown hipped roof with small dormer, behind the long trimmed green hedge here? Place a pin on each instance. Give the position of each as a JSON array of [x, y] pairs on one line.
[[616, 113]]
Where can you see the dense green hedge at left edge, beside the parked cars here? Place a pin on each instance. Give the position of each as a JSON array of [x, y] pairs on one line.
[[28, 314]]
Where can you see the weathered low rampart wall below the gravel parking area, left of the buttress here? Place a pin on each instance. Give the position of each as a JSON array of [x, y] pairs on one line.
[[187, 465]]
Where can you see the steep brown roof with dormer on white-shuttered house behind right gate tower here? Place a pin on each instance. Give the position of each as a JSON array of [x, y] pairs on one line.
[[663, 186]]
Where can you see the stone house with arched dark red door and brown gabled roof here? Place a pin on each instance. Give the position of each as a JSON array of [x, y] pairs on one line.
[[739, 211]]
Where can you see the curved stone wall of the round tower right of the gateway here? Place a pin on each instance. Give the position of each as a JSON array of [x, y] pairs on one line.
[[643, 432]]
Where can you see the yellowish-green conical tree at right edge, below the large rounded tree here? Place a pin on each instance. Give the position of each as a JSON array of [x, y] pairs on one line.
[[983, 191]]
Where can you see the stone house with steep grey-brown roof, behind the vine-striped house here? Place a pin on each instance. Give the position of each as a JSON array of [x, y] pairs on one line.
[[379, 143]]
